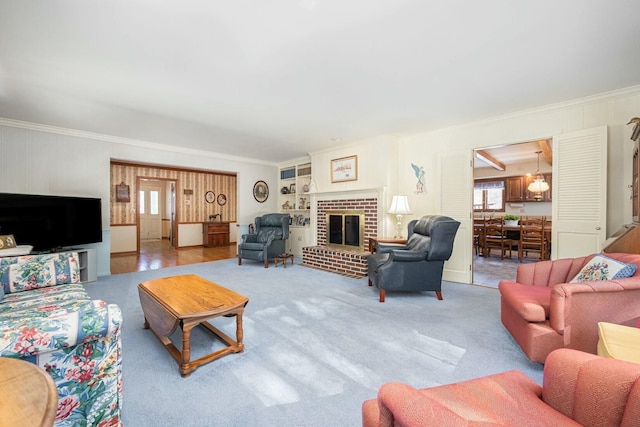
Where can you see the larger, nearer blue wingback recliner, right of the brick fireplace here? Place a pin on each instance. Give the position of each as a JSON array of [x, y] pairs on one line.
[[417, 265]]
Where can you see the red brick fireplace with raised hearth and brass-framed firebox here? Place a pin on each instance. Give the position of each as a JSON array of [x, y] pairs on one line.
[[347, 262]]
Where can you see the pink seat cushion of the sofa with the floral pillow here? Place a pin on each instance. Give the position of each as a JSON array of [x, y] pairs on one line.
[[531, 302]]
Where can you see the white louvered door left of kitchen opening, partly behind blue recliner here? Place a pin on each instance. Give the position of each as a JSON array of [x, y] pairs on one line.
[[456, 181]]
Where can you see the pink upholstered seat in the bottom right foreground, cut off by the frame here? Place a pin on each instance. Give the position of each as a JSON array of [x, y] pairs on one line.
[[578, 389]]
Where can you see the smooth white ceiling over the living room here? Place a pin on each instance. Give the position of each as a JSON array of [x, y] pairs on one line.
[[276, 79]]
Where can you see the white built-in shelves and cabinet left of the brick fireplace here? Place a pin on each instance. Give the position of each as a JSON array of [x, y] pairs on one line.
[[294, 198]]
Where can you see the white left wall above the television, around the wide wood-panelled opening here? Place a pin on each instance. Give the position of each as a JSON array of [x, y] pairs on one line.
[[38, 159]]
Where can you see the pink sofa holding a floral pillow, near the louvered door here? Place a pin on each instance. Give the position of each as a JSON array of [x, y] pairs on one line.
[[543, 312]]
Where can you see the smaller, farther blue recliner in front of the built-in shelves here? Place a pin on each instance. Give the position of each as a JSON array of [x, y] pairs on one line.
[[272, 231]]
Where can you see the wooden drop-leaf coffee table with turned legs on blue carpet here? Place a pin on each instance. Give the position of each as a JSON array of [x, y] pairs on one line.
[[188, 301]]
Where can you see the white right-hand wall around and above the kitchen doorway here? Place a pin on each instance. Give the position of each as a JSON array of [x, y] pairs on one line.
[[612, 110]]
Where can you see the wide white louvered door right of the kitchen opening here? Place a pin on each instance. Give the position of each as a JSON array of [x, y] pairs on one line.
[[579, 193]]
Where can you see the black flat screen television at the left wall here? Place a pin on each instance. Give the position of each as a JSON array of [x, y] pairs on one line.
[[51, 223]]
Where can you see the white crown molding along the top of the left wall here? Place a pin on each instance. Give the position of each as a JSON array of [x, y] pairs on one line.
[[126, 141]]
